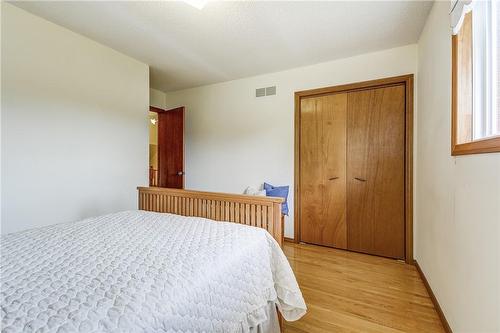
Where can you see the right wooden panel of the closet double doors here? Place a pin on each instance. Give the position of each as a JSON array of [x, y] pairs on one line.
[[375, 171]]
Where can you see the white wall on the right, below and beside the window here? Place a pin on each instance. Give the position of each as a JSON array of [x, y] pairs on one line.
[[458, 198]]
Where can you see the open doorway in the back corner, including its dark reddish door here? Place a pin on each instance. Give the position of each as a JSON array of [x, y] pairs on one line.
[[166, 147]]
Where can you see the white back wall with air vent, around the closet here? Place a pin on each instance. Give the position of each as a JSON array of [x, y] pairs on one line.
[[234, 139]]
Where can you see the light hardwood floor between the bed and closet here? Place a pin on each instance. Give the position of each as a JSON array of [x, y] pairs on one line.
[[352, 292]]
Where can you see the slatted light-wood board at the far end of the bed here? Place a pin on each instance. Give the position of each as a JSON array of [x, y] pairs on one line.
[[257, 211]]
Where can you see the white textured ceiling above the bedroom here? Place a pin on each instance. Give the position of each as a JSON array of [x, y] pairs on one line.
[[187, 47]]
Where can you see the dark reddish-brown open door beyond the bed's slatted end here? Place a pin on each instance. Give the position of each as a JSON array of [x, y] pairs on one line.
[[171, 148]]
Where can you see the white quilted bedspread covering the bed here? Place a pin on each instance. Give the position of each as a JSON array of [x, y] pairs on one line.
[[140, 271]]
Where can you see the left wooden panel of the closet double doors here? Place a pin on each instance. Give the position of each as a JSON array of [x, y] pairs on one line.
[[323, 170]]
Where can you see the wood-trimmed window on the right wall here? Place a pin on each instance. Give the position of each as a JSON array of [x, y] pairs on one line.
[[476, 77]]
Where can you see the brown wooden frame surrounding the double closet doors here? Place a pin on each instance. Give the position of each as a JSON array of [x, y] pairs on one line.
[[407, 80]]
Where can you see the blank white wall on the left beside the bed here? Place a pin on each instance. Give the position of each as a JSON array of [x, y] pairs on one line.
[[74, 127]]
